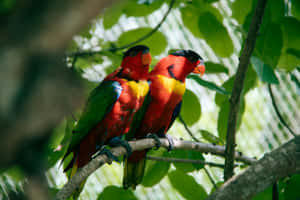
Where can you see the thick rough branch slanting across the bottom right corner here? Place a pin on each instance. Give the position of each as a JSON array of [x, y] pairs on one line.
[[280, 163]]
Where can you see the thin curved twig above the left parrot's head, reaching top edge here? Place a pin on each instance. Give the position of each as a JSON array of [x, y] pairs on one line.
[[113, 49]]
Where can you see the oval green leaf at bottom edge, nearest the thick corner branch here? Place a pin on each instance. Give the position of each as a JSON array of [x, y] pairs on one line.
[[187, 186]]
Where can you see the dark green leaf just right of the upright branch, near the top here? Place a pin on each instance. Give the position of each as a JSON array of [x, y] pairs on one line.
[[269, 45]]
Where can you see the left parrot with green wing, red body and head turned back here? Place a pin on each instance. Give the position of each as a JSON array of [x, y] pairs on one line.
[[110, 108]]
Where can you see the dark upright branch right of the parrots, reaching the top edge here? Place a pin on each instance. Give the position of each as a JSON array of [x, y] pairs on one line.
[[238, 87]]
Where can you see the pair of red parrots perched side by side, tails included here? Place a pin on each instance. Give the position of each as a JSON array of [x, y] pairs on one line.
[[132, 102]]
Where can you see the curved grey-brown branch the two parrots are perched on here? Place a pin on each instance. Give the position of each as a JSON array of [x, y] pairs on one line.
[[83, 173]]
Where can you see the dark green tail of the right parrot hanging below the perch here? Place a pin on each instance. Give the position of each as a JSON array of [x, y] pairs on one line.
[[134, 168]]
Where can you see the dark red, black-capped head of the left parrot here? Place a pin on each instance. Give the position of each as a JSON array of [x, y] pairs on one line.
[[136, 61]]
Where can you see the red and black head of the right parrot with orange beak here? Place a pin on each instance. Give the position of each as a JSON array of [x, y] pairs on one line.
[[179, 64]]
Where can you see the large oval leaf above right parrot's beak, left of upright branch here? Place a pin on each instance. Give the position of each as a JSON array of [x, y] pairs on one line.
[[215, 34]]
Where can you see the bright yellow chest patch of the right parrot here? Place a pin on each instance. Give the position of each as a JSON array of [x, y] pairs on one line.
[[172, 85]]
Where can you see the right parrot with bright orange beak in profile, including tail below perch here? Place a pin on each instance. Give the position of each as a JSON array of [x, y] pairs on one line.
[[161, 107]]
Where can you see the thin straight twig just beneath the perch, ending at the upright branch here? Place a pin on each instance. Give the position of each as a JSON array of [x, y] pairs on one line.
[[181, 160]]
